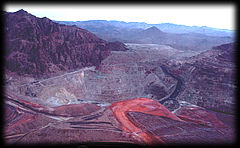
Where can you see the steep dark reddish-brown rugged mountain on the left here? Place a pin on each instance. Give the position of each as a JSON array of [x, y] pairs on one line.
[[38, 46]]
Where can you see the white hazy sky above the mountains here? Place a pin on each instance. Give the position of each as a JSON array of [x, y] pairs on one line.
[[217, 16]]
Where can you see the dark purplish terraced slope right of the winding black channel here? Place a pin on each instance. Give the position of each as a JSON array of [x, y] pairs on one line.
[[210, 79]]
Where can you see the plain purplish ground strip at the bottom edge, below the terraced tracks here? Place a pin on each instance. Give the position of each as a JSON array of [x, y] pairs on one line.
[[56, 135]]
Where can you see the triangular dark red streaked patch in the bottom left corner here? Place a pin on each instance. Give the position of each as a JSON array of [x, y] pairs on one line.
[[19, 122]]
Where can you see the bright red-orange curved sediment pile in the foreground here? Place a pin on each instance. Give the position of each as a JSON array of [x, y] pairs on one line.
[[144, 105]]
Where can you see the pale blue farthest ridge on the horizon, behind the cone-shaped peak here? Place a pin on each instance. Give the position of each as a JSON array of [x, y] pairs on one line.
[[165, 27]]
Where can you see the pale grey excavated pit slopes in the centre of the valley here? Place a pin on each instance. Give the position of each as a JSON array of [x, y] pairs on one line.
[[121, 76]]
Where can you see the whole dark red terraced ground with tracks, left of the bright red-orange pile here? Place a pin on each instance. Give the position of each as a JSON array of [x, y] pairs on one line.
[[64, 124]]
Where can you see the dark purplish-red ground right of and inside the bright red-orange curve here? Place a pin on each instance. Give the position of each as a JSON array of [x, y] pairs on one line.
[[178, 132]]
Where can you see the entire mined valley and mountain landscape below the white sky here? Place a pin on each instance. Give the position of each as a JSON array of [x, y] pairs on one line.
[[111, 81]]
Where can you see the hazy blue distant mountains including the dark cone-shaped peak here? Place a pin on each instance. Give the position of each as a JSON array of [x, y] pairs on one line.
[[178, 36]]
